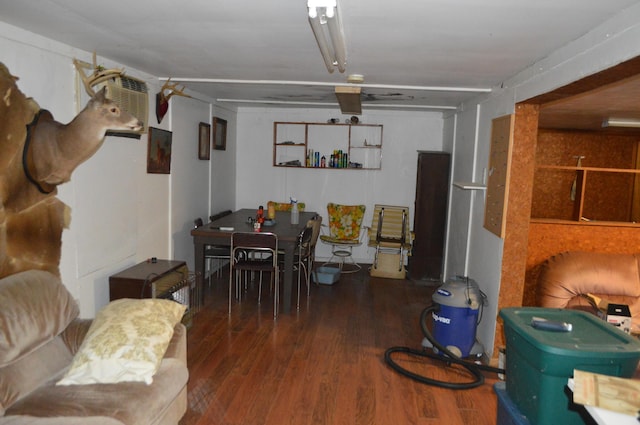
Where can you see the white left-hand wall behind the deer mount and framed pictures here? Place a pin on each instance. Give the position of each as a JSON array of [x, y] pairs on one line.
[[120, 215]]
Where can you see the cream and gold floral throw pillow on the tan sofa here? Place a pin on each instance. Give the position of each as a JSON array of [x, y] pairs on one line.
[[125, 343]]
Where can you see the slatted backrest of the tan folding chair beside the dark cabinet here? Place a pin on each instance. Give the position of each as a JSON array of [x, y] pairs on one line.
[[389, 223]]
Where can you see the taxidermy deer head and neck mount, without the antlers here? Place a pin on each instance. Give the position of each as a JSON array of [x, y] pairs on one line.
[[53, 150]]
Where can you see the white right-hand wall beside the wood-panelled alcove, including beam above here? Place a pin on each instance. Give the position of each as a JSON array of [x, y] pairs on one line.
[[607, 45]]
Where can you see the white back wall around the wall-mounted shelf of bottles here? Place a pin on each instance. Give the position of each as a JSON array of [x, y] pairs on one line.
[[404, 133]]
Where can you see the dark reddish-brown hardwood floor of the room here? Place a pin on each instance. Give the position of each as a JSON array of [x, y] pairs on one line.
[[324, 363]]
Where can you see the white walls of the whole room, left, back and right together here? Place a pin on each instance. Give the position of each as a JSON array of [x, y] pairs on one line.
[[163, 206]]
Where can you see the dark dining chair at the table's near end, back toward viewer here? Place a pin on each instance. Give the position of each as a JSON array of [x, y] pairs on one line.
[[254, 252]]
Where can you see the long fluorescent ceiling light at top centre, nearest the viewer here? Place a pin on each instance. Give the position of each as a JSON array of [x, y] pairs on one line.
[[327, 28]]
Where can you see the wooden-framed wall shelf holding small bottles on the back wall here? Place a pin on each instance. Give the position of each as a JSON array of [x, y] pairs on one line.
[[343, 146]]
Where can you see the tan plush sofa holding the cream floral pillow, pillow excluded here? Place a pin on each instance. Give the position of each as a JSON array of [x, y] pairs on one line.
[[39, 335]]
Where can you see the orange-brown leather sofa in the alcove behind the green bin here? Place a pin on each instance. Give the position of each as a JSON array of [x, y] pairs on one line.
[[566, 278]]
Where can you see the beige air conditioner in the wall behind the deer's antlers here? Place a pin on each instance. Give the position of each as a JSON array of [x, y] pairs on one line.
[[131, 95]]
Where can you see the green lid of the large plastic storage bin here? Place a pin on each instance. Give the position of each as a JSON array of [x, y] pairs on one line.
[[590, 335]]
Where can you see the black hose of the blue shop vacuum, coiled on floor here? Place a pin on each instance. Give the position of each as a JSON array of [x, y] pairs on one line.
[[445, 356]]
